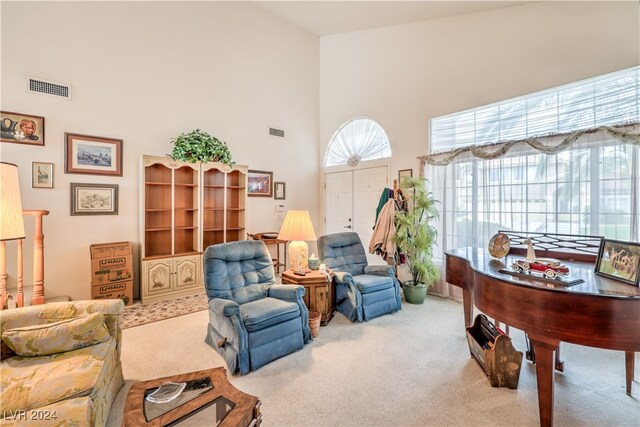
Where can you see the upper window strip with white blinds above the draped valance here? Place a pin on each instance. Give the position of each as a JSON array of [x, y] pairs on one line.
[[600, 101]]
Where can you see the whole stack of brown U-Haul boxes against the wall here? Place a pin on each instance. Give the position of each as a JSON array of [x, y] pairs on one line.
[[112, 271]]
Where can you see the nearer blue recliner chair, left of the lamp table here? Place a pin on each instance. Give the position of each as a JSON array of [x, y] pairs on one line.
[[252, 320]]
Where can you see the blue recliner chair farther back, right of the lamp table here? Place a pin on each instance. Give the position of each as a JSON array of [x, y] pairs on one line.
[[362, 291]]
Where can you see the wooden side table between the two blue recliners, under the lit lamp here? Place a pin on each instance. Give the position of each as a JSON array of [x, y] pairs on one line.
[[319, 292]]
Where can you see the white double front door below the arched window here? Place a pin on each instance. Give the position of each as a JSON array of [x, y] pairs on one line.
[[351, 200]]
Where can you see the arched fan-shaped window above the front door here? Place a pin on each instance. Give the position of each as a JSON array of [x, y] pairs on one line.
[[357, 140]]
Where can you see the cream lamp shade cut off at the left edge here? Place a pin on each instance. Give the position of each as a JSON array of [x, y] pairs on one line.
[[11, 221]]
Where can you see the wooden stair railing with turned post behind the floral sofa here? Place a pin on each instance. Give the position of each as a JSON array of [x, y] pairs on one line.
[[38, 265]]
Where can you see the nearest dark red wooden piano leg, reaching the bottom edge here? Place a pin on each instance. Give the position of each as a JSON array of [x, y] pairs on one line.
[[544, 375]]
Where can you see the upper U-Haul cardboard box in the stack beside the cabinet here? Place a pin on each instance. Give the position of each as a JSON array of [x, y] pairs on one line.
[[111, 263]]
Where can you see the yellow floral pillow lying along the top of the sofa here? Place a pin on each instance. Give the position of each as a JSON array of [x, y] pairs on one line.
[[57, 337]]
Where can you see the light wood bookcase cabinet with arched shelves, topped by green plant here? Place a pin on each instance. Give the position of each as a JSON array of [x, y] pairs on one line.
[[186, 207]]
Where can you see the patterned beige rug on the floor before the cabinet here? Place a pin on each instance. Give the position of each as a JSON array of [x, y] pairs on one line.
[[140, 314]]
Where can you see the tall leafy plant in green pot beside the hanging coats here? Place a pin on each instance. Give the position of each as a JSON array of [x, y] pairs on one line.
[[415, 237]]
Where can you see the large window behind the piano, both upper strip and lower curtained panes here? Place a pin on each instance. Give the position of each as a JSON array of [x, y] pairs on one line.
[[590, 188]]
